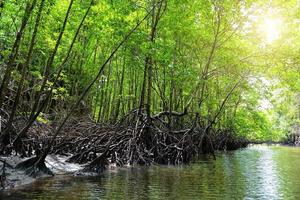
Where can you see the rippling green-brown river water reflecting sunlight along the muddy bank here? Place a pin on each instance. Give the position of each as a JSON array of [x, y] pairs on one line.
[[258, 172]]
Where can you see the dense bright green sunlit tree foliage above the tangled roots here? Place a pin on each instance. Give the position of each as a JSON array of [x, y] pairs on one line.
[[214, 58]]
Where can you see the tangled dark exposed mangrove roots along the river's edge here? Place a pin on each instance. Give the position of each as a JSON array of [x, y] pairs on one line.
[[166, 138]]
